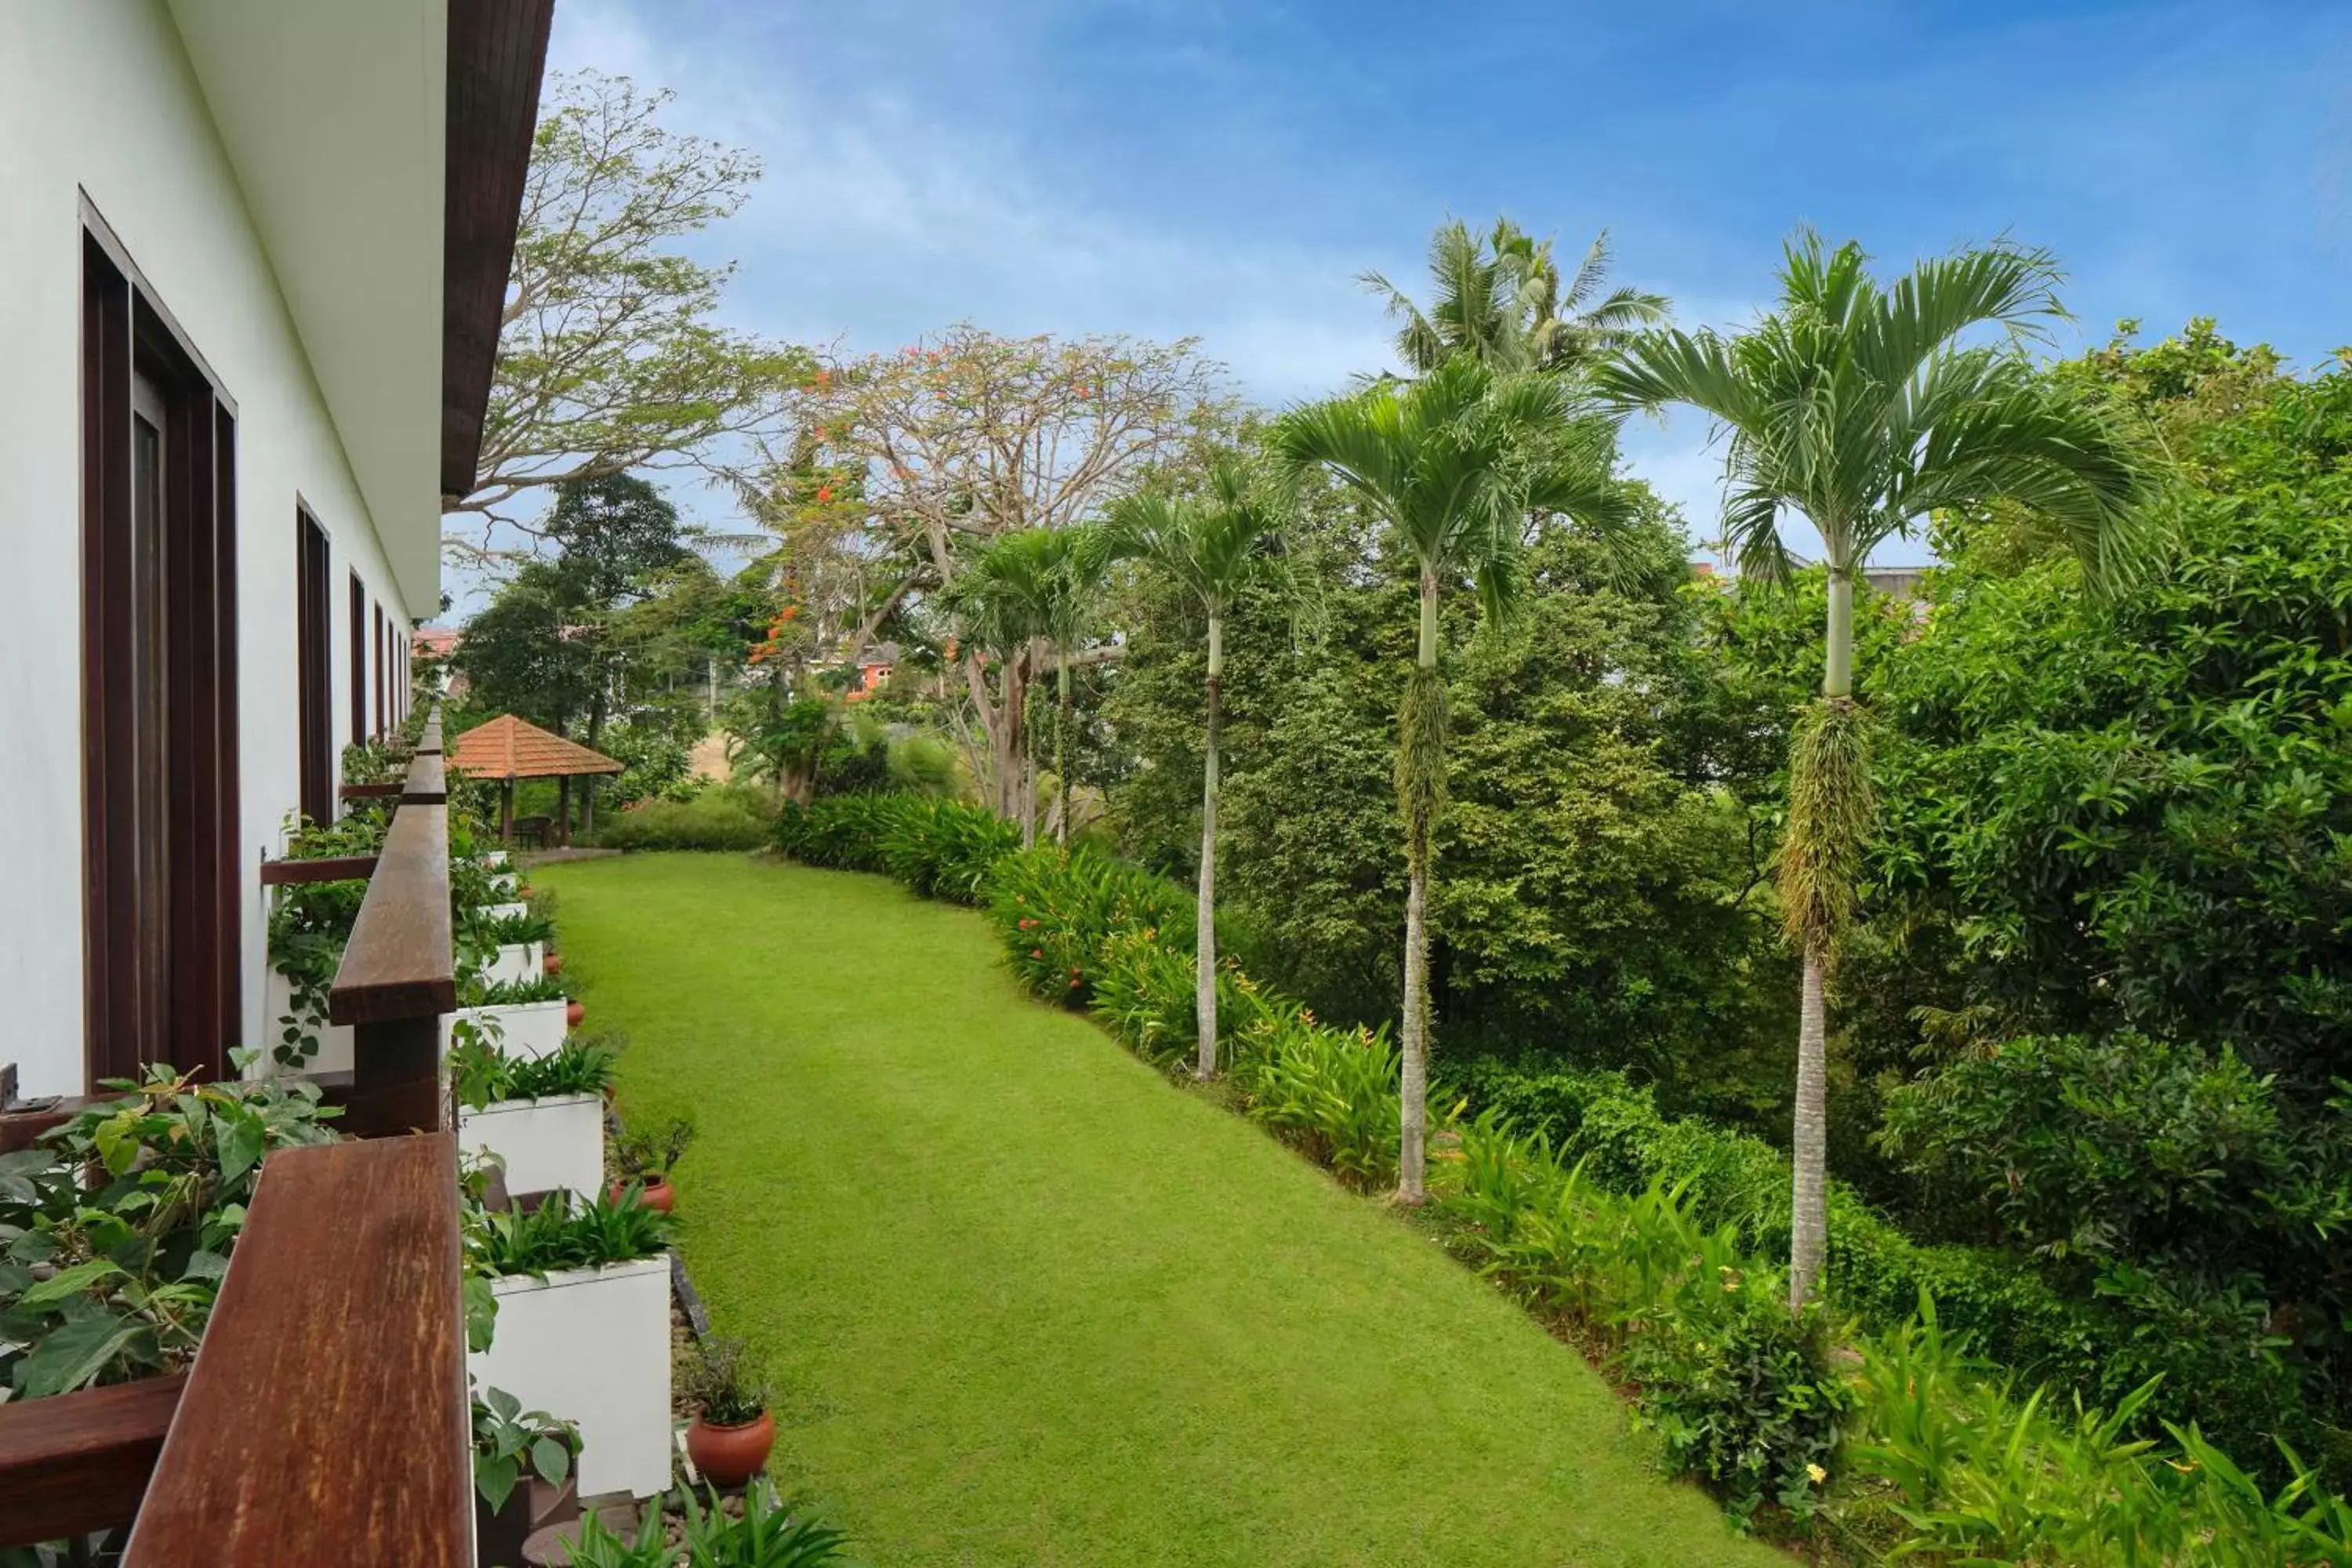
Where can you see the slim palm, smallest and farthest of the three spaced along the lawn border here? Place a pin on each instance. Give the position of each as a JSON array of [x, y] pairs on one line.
[[1215, 547]]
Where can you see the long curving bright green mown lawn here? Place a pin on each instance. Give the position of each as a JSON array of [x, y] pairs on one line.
[[1029, 1304]]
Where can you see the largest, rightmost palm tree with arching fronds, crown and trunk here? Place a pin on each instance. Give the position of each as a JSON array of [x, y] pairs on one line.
[[1864, 408]]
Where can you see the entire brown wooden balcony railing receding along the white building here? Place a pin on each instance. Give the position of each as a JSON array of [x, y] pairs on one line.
[[340, 1329]]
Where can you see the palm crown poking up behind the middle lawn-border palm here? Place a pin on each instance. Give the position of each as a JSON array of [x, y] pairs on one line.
[[1502, 300]]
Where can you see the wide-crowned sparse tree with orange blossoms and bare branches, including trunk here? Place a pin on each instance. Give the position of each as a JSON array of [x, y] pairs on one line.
[[916, 462]]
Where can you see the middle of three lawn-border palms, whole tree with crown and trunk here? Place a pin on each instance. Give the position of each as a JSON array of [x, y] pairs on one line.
[[1452, 464]]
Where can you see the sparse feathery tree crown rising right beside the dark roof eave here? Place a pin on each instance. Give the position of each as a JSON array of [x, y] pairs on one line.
[[610, 351]]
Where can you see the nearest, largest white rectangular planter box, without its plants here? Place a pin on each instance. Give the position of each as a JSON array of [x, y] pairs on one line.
[[594, 1346]]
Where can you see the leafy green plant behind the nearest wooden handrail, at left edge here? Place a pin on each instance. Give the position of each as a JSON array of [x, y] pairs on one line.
[[116, 1228]]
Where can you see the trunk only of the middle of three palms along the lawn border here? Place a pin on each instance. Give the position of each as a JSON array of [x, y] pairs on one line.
[[1419, 779]]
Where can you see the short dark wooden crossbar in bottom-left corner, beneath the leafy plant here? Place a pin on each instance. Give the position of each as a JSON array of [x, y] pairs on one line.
[[79, 1463]]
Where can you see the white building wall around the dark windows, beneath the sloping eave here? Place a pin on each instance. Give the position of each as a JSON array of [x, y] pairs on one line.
[[98, 98]]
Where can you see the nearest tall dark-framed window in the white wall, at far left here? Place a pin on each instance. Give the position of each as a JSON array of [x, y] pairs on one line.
[[159, 690]]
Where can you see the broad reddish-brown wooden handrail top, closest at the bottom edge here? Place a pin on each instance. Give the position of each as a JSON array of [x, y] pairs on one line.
[[326, 1419]]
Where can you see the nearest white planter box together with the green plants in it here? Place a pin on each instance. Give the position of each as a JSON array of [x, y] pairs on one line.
[[584, 1327]]
